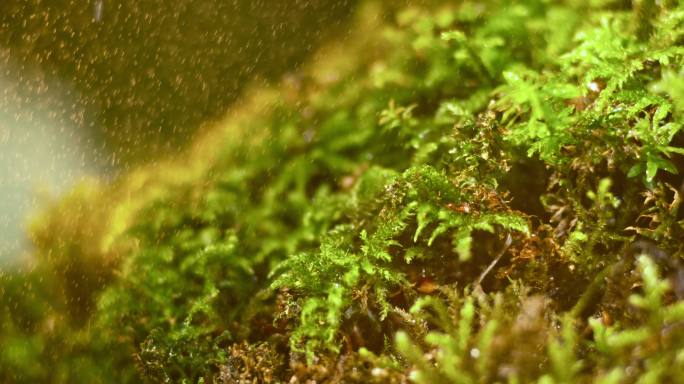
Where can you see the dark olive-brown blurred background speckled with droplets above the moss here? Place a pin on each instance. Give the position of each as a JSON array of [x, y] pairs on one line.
[[145, 74]]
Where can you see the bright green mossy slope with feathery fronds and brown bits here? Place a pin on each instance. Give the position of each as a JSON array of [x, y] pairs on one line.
[[459, 193]]
